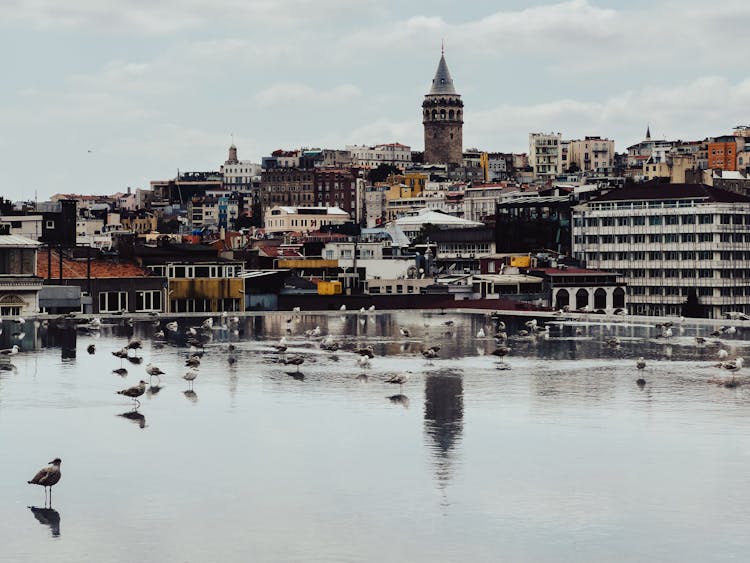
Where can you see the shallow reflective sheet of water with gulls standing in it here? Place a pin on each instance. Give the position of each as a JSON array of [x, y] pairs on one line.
[[554, 454]]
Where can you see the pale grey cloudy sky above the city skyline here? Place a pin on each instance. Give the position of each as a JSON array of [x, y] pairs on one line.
[[99, 95]]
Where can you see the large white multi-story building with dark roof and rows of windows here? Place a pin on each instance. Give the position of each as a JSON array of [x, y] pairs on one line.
[[667, 241]]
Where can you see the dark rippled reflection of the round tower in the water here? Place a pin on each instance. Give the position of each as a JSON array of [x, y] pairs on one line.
[[443, 416]]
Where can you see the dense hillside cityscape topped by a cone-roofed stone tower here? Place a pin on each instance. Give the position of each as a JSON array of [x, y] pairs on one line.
[[660, 228]]
